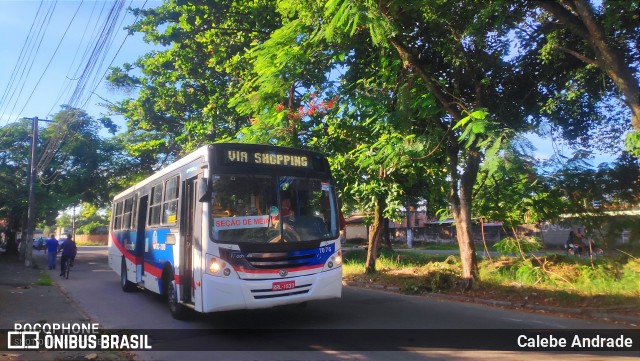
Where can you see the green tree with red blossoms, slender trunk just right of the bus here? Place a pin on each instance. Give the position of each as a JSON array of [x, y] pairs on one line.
[[369, 135]]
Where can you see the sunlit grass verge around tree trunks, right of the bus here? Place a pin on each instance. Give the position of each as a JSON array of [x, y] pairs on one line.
[[553, 280]]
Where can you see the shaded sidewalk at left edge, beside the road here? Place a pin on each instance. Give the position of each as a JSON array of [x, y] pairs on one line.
[[27, 295]]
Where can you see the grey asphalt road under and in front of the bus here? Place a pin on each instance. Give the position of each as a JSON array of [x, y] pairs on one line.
[[386, 326]]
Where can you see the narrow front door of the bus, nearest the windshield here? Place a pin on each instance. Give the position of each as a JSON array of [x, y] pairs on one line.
[[188, 231]]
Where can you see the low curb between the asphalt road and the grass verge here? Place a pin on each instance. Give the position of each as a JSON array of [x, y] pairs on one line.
[[591, 313]]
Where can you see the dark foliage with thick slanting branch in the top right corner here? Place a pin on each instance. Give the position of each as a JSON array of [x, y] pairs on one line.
[[596, 46]]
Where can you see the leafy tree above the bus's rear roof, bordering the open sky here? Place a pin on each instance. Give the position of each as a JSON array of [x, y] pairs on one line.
[[184, 89]]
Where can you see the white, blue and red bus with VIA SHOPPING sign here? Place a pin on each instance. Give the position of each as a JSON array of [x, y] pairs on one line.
[[231, 226]]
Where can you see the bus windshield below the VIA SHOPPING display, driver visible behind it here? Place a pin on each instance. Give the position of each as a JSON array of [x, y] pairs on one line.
[[270, 209]]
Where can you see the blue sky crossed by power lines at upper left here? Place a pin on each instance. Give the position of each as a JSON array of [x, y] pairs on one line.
[[46, 48]]
